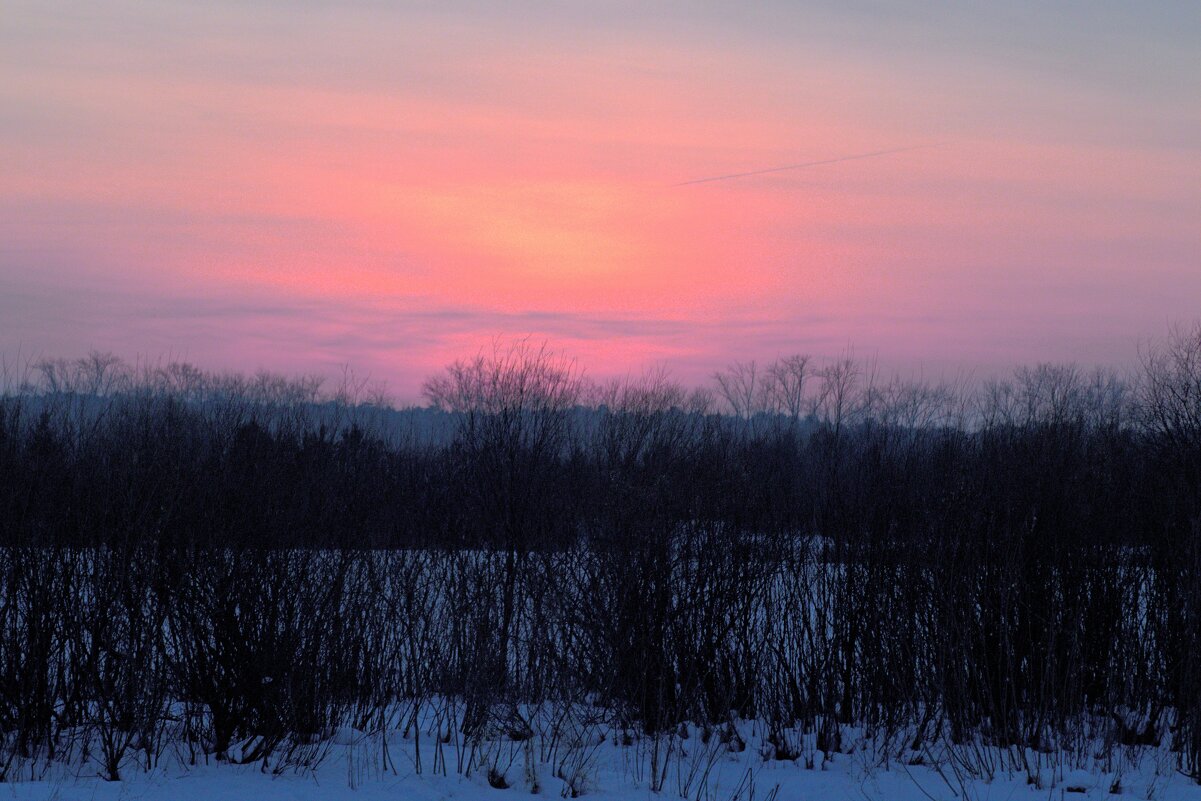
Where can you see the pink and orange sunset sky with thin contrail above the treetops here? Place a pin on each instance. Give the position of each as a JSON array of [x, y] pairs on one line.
[[301, 187]]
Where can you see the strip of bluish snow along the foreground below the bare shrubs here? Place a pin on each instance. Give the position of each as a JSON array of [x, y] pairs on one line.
[[689, 769]]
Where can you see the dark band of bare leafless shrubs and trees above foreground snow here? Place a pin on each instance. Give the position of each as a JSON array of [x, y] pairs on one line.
[[234, 569]]
